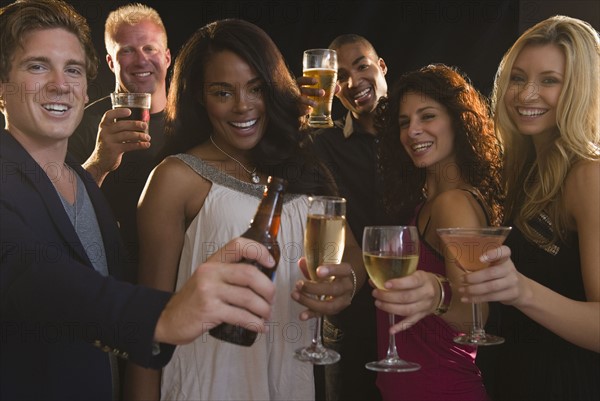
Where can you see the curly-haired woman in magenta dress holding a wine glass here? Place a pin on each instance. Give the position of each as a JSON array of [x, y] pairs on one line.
[[440, 160]]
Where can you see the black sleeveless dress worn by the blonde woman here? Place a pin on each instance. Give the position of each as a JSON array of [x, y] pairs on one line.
[[534, 363]]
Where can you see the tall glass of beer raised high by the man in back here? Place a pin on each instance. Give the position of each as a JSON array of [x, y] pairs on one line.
[[322, 65]]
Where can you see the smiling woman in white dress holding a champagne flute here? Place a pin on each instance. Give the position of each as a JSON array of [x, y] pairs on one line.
[[233, 113]]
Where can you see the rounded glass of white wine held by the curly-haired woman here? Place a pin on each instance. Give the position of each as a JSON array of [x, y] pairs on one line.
[[390, 252]]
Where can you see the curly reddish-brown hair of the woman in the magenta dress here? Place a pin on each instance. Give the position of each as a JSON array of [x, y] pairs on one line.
[[478, 150]]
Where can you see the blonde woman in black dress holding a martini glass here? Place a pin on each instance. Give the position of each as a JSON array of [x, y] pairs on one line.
[[547, 111]]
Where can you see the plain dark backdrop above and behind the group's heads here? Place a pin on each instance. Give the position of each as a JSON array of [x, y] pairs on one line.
[[470, 34]]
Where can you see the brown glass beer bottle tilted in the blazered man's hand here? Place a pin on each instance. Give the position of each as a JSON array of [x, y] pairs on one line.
[[263, 228]]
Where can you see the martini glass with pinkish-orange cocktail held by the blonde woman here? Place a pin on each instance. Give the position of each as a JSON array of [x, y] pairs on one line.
[[465, 246]]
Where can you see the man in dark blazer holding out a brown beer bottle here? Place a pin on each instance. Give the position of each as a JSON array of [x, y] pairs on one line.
[[64, 313]]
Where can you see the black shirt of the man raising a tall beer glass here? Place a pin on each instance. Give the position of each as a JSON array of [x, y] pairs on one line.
[[351, 155]]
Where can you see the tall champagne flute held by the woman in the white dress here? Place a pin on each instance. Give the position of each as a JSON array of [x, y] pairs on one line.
[[324, 241]]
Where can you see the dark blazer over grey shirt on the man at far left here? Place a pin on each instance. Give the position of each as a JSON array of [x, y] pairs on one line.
[[59, 317]]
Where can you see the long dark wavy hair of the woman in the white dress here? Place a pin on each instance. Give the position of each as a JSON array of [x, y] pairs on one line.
[[283, 150]]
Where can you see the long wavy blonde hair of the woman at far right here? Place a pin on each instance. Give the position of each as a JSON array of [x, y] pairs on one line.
[[534, 183]]
